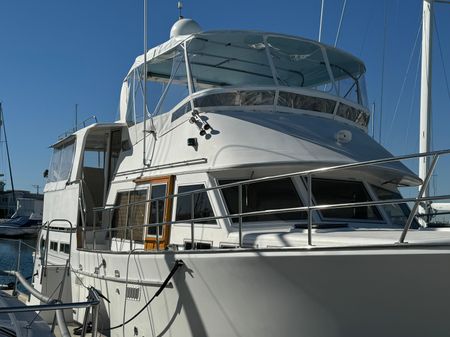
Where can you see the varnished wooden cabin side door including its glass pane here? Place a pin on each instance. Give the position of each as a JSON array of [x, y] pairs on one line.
[[159, 211]]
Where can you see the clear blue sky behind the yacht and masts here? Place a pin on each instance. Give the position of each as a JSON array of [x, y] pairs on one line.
[[54, 54]]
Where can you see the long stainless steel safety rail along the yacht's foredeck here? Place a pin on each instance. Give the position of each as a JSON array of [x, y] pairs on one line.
[[310, 208]]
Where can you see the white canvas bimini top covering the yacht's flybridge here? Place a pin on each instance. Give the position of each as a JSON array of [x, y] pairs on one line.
[[251, 58]]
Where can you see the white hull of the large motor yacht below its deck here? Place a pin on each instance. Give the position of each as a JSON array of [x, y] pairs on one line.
[[391, 291]]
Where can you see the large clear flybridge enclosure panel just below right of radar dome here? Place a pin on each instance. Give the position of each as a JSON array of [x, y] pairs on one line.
[[229, 59]]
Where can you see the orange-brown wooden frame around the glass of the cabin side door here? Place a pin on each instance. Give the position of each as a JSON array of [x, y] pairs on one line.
[[150, 243]]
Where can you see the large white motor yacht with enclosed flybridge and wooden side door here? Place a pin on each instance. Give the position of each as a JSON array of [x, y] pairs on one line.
[[247, 200]]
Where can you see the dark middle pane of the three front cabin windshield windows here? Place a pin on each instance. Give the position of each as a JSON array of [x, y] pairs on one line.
[[328, 191]]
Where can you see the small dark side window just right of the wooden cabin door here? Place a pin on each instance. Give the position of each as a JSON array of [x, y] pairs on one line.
[[202, 205]]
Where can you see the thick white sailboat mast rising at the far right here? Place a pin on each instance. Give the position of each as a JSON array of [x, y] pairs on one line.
[[425, 89]]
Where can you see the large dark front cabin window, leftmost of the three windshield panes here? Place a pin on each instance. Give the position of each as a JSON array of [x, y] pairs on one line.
[[268, 195]]
